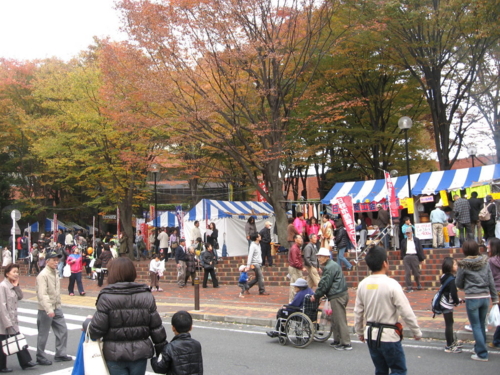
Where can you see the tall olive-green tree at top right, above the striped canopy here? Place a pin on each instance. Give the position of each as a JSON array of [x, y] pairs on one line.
[[441, 43]]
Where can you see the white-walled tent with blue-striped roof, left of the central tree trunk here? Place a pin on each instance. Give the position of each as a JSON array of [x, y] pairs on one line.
[[230, 219]]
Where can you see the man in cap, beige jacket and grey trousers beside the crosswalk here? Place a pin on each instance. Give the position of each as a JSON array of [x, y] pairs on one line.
[[50, 315]]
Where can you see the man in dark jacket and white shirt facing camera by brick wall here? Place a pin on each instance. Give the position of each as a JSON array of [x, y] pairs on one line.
[[412, 254]]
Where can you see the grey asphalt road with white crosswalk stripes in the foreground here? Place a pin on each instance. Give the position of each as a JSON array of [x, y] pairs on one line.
[[238, 349]]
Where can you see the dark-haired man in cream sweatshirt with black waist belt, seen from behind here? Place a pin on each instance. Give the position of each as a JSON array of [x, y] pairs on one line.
[[380, 300]]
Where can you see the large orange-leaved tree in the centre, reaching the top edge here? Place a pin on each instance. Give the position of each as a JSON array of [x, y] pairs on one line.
[[231, 70]]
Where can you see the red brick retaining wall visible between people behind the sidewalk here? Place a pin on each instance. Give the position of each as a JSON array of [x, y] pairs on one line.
[[228, 274]]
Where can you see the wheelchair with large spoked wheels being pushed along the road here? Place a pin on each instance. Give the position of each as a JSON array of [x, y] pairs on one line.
[[306, 325]]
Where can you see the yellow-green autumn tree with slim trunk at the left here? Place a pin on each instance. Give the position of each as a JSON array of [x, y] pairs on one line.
[[87, 147]]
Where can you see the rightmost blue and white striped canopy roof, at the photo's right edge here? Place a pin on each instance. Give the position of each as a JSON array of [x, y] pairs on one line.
[[457, 179]]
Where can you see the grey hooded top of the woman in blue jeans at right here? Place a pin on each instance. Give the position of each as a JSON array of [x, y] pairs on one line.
[[475, 278]]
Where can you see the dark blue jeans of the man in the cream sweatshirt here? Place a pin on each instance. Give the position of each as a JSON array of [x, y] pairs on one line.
[[388, 356]]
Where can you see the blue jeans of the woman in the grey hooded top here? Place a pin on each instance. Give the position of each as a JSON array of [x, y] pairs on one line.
[[477, 309]]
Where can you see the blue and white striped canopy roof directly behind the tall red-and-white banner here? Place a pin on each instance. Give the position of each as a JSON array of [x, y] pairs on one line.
[[371, 190]]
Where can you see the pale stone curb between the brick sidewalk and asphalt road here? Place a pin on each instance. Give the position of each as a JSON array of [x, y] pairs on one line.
[[434, 334]]
